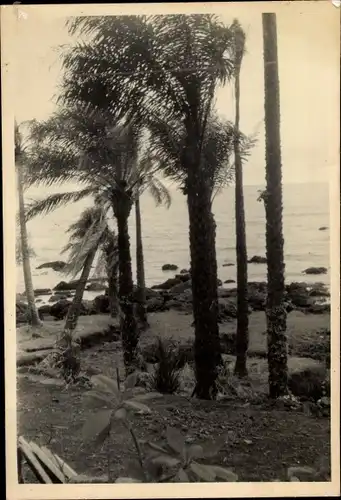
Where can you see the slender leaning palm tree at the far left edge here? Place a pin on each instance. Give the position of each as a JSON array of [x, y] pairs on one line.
[[20, 158]]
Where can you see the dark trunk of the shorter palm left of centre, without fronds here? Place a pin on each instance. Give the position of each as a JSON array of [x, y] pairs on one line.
[[129, 330]]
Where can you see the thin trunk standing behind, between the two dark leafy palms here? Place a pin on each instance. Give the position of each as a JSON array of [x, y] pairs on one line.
[[140, 276]]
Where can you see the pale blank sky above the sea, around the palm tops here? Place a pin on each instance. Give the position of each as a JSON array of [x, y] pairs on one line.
[[309, 56]]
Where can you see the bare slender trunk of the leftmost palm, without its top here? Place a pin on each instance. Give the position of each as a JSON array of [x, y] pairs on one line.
[[32, 310]]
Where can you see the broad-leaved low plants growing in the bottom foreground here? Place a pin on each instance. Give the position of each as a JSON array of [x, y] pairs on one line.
[[174, 461]]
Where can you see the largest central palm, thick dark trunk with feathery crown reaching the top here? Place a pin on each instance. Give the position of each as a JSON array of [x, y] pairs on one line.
[[165, 69]]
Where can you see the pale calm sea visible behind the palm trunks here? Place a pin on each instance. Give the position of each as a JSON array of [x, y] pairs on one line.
[[166, 240]]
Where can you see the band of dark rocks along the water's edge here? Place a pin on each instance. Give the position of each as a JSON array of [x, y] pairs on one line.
[[175, 294]]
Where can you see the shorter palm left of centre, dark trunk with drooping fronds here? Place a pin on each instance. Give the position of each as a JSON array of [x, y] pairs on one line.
[[84, 145]]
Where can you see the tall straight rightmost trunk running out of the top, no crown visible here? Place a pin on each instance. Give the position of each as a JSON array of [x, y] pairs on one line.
[[276, 312]]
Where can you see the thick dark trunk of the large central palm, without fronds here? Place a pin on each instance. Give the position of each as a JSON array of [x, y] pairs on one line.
[[204, 285]]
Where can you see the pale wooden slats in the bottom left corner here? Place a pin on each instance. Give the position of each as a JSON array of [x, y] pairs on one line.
[[47, 467]]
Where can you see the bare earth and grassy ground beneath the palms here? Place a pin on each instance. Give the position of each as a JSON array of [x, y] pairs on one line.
[[260, 441]]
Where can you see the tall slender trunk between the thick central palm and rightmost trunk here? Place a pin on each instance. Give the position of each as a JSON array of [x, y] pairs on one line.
[[242, 337]]
